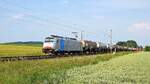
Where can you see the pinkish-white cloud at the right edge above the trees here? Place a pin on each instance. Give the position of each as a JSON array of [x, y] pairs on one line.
[[140, 27]]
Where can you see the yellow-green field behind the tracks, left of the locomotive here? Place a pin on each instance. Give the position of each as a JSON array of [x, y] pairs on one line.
[[20, 50]]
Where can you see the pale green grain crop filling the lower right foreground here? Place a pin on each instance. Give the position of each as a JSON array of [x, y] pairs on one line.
[[129, 69]]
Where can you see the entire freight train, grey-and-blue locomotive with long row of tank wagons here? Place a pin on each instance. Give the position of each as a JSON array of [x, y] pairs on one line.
[[65, 45]]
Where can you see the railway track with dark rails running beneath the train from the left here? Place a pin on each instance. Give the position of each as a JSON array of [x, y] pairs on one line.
[[21, 58]]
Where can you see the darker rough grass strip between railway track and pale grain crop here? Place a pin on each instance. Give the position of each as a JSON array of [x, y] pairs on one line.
[[51, 71]]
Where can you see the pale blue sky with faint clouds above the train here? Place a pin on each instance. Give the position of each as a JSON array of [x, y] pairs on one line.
[[33, 20]]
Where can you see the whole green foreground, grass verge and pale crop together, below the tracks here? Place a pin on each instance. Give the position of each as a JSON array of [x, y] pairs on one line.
[[96, 69]]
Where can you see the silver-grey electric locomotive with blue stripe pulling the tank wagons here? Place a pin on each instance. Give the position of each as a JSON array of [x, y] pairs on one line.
[[57, 44]]
